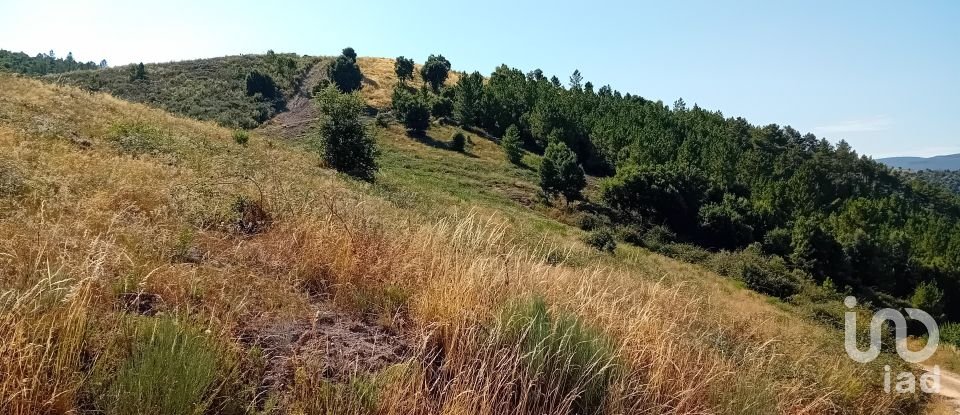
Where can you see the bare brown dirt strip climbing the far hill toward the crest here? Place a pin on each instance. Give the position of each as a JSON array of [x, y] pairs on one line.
[[296, 120]]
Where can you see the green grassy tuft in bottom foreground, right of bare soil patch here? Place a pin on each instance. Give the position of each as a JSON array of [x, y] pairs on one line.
[[564, 359]]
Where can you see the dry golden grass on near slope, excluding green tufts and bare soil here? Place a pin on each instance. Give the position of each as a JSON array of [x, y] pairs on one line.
[[97, 218]]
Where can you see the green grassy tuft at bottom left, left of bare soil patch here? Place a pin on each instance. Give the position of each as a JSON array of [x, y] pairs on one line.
[[172, 369]]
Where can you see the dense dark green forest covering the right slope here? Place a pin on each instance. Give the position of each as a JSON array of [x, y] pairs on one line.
[[817, 213]]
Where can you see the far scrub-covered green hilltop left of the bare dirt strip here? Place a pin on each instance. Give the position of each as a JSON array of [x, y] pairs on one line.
[[205, 89]]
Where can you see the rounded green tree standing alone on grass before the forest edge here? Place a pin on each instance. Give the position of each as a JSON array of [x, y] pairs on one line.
[[560, 174]]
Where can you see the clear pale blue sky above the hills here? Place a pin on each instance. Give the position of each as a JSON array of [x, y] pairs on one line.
[[884, 75]]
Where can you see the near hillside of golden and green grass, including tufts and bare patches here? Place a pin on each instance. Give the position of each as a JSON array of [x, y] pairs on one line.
[[149, 263]]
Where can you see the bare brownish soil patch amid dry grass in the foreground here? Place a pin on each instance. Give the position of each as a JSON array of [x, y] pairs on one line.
[[338, 343]]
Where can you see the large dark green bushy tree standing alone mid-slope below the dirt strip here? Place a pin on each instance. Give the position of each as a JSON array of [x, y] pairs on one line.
[[348, 145]]
